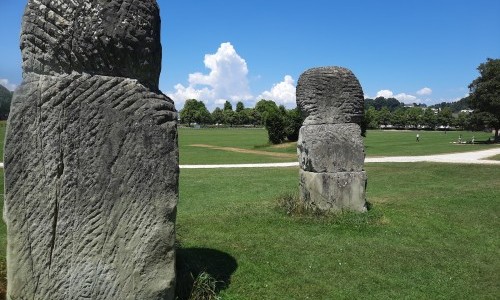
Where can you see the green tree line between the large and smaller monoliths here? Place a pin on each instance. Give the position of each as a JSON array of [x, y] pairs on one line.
[[281, 124]]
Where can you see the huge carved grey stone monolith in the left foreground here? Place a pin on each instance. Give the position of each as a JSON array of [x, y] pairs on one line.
[[91, 156]]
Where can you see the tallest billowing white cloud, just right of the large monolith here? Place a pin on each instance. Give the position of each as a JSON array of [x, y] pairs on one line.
[[227, 80]]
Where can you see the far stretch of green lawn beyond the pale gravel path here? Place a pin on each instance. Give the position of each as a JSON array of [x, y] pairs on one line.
[[377, 143]]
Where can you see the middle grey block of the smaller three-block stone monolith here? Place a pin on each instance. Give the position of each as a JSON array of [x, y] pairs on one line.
[[331, 148]]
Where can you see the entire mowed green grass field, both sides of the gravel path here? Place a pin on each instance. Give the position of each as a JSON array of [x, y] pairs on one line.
[[432, 232]]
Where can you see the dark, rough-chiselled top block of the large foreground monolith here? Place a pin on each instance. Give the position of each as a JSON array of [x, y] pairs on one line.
[[113, 38]]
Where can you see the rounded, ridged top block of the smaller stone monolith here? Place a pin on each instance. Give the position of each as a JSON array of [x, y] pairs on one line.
[[330, 95]]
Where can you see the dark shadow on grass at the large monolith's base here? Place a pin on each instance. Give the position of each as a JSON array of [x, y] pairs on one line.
[[191, 262]]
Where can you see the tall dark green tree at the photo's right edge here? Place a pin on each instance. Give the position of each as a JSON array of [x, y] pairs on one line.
[[485, 93]]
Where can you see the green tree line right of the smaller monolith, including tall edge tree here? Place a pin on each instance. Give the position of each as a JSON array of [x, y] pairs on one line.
[[478, 111]]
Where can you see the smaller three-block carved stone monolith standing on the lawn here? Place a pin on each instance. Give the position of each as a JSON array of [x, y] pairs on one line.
[[330, 147]]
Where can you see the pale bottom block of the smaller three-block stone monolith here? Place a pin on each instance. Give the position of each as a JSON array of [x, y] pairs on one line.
[[334, 191]]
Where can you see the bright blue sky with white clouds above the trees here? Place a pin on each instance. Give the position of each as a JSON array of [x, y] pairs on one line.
[[417, 51]]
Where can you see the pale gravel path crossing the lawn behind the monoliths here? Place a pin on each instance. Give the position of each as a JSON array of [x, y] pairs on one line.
[[477, 157]]
